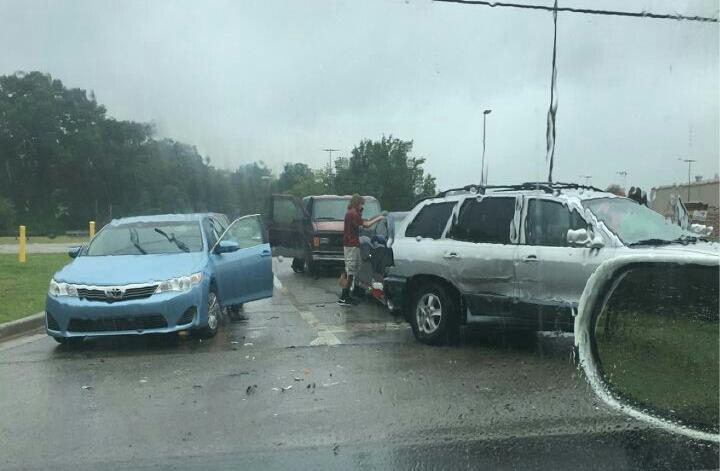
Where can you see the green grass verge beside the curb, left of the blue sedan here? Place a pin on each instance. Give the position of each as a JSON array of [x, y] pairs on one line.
[[23, 285]]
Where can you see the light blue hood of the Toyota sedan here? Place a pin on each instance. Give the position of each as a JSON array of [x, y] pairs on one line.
[[127, 269]]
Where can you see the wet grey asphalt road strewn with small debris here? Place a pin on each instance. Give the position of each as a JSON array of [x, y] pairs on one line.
[[363, 394]]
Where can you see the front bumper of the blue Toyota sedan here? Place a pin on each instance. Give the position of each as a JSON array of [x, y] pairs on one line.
[[67, 316]]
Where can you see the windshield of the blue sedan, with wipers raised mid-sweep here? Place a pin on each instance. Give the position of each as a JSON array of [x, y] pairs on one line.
[[147, 238]]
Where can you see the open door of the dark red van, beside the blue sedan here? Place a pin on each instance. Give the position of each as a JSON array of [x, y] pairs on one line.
[[288, 226]]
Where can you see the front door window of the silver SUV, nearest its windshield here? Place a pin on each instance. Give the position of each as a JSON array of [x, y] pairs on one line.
[[548, 222]]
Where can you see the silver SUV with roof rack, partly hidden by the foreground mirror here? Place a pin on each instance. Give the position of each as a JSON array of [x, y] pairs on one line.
[[518, 255]]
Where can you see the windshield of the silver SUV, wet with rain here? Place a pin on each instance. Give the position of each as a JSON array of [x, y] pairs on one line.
[[635, 223]]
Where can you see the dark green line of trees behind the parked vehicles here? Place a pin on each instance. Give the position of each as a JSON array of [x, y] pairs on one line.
[[64, 161]]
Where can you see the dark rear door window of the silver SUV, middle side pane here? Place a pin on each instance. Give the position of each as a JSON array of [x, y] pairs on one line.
[[486, 220]]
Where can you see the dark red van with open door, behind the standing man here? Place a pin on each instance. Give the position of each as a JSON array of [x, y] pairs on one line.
[[310, 230]]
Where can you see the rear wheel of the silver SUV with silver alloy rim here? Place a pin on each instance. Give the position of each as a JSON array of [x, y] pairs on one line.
[[434, 315]]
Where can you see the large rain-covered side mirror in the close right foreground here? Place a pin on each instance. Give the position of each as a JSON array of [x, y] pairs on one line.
[[647, 338]]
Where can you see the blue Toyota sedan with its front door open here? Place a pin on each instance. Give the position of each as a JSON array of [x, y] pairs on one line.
[[160, 274]]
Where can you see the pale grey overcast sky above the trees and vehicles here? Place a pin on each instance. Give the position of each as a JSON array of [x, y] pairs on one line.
[[280, 80]]
